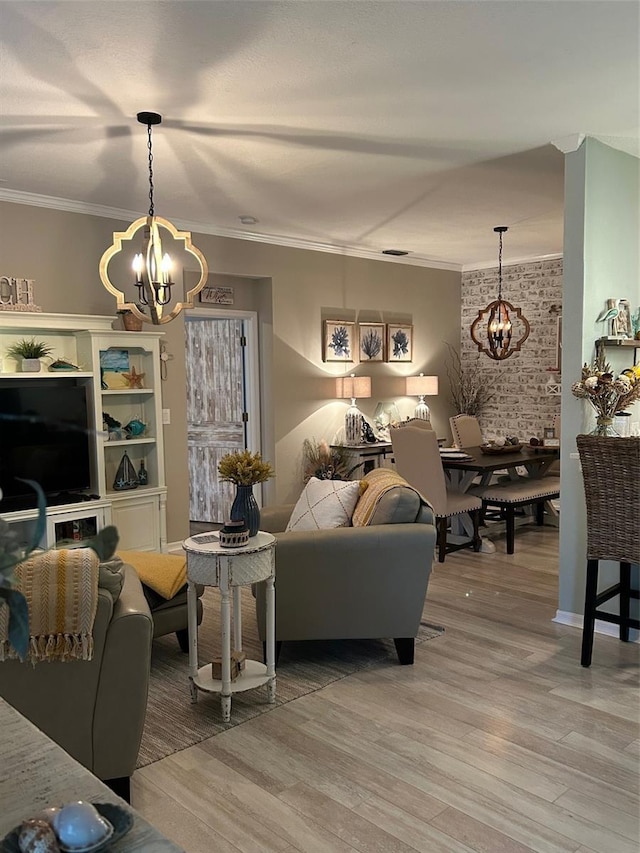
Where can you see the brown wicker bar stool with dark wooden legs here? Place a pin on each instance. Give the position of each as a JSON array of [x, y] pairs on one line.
[[611, 474]]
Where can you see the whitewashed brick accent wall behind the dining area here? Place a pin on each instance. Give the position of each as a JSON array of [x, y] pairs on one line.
[[522, 405]]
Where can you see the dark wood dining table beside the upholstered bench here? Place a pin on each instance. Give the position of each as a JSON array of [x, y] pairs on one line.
[[463, 465]]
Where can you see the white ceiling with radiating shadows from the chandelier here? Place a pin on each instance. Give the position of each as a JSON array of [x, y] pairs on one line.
[[346, 126]]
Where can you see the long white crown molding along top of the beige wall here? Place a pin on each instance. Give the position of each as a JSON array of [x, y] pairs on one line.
[[71, 206]]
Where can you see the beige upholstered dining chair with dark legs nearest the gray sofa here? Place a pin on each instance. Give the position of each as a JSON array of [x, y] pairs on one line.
[[418, 460]]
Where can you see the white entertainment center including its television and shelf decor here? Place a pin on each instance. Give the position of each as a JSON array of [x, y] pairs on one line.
[[52, 430]]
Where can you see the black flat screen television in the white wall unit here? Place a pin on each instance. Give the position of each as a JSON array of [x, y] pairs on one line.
[[44, 436]]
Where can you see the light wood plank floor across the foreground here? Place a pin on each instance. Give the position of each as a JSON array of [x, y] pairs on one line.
[[495, 741]]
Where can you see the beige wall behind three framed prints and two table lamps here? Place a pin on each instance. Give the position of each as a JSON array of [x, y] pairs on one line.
[[61, 251]]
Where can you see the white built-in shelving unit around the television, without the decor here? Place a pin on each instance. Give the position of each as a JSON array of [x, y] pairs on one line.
[[139, 513]]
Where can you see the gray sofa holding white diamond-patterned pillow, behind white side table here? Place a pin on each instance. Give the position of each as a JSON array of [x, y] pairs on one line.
[[353, 582]]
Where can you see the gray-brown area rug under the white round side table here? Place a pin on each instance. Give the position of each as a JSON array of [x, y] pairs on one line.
[[174, 723]]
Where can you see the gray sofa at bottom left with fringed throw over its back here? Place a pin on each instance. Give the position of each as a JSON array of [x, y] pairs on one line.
[[94, 709]]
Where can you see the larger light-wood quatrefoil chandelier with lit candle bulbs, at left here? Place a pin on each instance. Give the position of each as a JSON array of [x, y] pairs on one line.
[[152, 265]]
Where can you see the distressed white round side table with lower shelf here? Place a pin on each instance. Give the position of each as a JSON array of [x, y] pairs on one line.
[[209, 564]]
